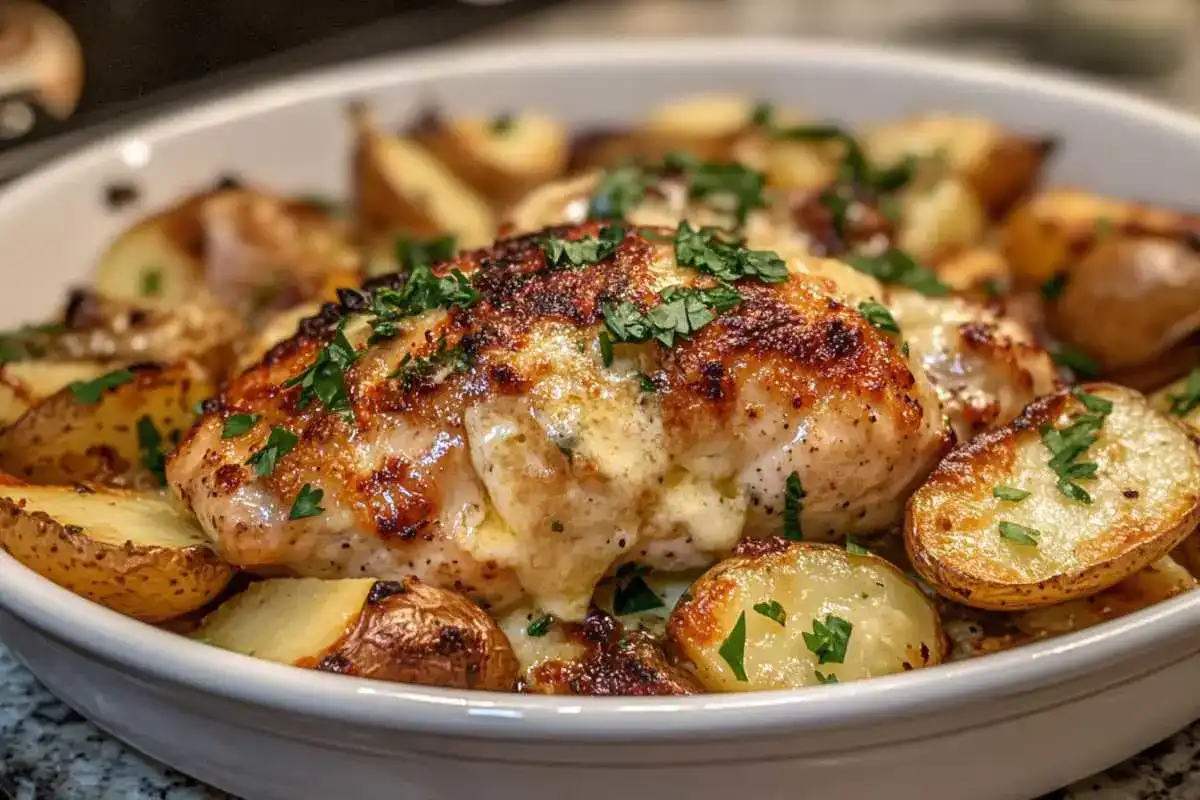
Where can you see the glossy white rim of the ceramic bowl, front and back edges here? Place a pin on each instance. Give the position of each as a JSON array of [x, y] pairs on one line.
[[145, 651]]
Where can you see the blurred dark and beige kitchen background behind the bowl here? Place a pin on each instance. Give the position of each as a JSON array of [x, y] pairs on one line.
[[76, 69]]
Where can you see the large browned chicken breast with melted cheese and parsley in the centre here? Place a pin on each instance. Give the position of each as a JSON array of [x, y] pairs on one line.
[[517, 423]]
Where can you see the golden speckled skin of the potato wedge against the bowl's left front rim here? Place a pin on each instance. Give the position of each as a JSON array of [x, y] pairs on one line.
[[149, 584]]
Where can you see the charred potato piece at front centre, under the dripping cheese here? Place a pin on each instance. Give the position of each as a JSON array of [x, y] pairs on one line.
[[599, 657]]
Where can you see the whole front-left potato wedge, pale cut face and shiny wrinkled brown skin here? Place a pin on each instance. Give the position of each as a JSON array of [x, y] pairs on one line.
[[400, 631]]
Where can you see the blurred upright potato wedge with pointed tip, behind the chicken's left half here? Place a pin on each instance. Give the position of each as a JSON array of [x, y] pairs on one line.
[[401, 188]]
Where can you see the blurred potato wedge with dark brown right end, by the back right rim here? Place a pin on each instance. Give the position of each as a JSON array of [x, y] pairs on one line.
[[997, 167]]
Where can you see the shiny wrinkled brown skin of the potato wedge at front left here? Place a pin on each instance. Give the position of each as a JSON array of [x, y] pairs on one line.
[[411, 633]]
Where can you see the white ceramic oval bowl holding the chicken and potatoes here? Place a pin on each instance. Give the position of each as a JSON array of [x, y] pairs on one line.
[[1007, 726]]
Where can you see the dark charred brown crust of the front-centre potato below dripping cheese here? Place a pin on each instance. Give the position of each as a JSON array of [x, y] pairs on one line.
[[617, 663]]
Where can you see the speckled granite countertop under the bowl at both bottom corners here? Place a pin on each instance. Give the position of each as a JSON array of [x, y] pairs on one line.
[[50, 753]]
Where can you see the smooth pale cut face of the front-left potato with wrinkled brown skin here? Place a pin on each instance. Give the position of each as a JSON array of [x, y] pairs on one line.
[[287, 619]]
